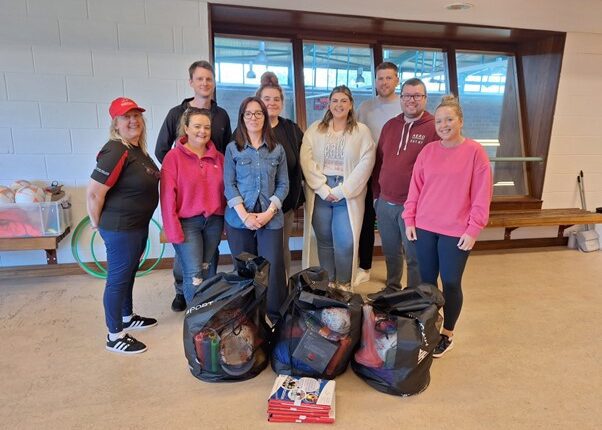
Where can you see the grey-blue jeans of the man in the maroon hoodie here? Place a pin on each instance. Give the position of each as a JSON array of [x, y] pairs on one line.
[[396, 245]]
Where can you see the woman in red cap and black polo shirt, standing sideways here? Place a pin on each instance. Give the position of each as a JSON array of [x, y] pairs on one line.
[[121, 198]]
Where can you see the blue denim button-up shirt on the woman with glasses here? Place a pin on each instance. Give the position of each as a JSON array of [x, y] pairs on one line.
[[255, 175]]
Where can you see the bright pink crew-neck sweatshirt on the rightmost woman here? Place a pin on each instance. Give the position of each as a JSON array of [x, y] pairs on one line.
[[450, 190]]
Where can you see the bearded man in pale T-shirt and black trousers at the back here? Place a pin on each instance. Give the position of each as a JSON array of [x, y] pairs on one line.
[[375, 112]]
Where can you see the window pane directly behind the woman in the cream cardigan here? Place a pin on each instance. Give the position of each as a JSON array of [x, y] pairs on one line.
[[327, 66]]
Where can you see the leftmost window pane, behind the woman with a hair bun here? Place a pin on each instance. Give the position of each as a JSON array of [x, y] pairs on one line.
[[239, 64]]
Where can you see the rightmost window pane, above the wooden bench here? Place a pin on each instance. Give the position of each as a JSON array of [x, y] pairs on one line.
[[489, 97]]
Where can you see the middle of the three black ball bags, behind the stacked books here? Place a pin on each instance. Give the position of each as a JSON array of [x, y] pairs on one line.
[[319, 327]]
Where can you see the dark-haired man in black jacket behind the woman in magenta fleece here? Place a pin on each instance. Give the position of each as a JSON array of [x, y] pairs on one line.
[[202, 81]]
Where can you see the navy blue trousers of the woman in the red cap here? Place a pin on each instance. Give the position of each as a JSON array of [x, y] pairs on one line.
[[124, 249]]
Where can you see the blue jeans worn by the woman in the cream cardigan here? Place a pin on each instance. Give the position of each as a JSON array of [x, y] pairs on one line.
[[334, 236]]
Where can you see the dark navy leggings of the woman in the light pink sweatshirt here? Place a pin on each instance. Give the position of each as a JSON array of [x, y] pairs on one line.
[[439, 254]]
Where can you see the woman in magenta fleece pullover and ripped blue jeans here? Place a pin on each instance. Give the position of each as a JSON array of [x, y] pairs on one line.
[[192, 198]]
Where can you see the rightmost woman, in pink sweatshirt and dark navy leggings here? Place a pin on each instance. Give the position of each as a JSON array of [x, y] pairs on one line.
[[446, 209]]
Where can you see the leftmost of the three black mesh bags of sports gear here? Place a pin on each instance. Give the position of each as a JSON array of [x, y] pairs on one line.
[[225, 332]]
